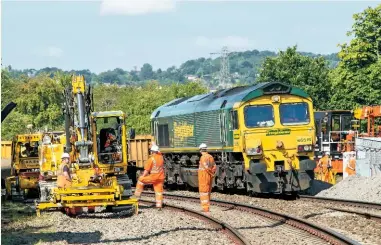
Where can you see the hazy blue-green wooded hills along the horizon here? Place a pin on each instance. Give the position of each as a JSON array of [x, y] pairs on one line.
[[244, 67]]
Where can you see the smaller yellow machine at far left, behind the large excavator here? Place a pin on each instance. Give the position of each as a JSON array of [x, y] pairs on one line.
[[24, 167]]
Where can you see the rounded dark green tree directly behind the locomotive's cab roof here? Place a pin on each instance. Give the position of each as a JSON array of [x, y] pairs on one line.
[[310, 74]]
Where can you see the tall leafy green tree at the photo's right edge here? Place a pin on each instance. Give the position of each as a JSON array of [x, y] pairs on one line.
[[357, 79]]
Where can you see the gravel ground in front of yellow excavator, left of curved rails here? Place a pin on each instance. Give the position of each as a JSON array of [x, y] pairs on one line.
[[149, 227]]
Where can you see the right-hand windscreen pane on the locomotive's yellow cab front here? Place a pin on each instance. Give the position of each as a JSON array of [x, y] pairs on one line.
[[294, 113]]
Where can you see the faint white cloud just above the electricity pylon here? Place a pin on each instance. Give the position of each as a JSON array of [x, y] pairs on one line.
[[232, 42]]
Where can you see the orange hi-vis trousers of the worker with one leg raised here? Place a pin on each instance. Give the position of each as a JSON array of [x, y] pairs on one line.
[[157, 183]]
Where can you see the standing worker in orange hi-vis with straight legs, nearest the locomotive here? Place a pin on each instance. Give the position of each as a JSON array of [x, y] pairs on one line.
[[206, 171]]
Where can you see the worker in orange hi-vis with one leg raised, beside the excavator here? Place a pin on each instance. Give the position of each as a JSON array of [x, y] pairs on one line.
[[153, 174]]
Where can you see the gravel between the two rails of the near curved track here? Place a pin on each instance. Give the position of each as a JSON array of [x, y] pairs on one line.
[[256, 229]]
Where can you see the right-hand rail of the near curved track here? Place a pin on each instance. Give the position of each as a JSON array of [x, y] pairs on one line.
[[325, 234]]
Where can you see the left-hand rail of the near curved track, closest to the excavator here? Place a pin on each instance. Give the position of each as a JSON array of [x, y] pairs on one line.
[[233, 234]]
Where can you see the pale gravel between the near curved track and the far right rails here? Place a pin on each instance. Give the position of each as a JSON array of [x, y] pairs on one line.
[[355, 227]]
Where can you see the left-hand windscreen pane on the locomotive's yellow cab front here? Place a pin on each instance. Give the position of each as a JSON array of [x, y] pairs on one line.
[[259, 116]]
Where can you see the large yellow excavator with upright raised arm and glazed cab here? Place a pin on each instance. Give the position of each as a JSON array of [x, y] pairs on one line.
[[97, 145]]
